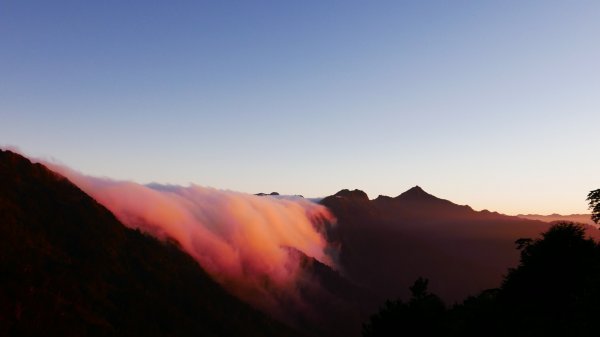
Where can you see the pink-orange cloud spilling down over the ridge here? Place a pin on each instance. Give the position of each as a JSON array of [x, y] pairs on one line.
[[243, 241]]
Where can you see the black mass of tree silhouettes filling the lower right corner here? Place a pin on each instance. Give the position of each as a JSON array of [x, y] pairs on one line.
[[554, 291]]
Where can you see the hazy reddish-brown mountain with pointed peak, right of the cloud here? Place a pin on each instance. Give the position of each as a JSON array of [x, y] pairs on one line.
[[387, 243]]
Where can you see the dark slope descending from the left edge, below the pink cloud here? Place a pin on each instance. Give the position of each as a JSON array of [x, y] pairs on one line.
[[69, 268]]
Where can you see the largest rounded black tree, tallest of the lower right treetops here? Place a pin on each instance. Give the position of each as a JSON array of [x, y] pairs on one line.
[[554, 290]]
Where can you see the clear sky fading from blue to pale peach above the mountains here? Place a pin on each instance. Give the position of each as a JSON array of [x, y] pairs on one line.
[[495, 104]]
